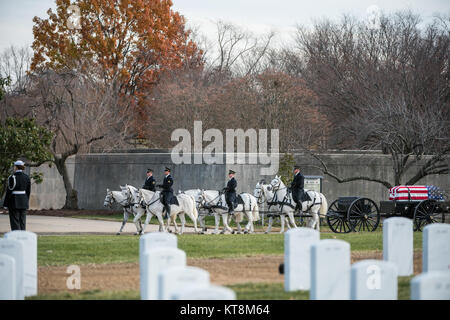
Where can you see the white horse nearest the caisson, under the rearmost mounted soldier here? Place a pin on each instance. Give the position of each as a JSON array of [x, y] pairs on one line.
[[276, 195]]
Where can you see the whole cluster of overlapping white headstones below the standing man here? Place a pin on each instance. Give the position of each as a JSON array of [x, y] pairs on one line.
[[18, 265]]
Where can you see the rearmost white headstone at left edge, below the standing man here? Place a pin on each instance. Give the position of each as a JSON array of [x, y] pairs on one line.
[[29, 241]]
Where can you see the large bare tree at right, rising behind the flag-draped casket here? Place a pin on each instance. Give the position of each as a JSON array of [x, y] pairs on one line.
[[384, 88]]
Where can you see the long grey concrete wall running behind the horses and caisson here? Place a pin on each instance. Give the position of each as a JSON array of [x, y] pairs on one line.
[[93, 173]]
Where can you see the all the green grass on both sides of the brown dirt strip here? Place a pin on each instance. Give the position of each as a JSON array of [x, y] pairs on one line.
[[105, 249]]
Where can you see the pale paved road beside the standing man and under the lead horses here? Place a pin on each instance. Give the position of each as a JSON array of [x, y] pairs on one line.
[[55, 225]]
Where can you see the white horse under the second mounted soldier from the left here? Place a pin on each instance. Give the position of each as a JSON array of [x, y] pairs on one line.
[[153, 206]]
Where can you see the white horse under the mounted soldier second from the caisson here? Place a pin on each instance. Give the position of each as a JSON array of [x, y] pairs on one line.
[[216, 201]]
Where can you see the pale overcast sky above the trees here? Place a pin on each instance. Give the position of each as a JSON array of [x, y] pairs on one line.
[[259, 16]]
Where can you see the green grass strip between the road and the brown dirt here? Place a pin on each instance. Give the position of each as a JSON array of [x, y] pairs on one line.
[[85, 249]]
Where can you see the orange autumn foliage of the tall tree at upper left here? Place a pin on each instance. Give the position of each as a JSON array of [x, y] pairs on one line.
[[133, 41]]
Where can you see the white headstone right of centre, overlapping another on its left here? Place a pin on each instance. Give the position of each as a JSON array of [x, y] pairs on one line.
[[330, 270]]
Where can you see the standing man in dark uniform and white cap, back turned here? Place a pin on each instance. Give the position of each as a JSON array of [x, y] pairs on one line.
[[17, 196]]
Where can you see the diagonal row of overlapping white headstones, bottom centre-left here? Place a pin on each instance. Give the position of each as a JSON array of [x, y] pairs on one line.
[[164, 274]]
